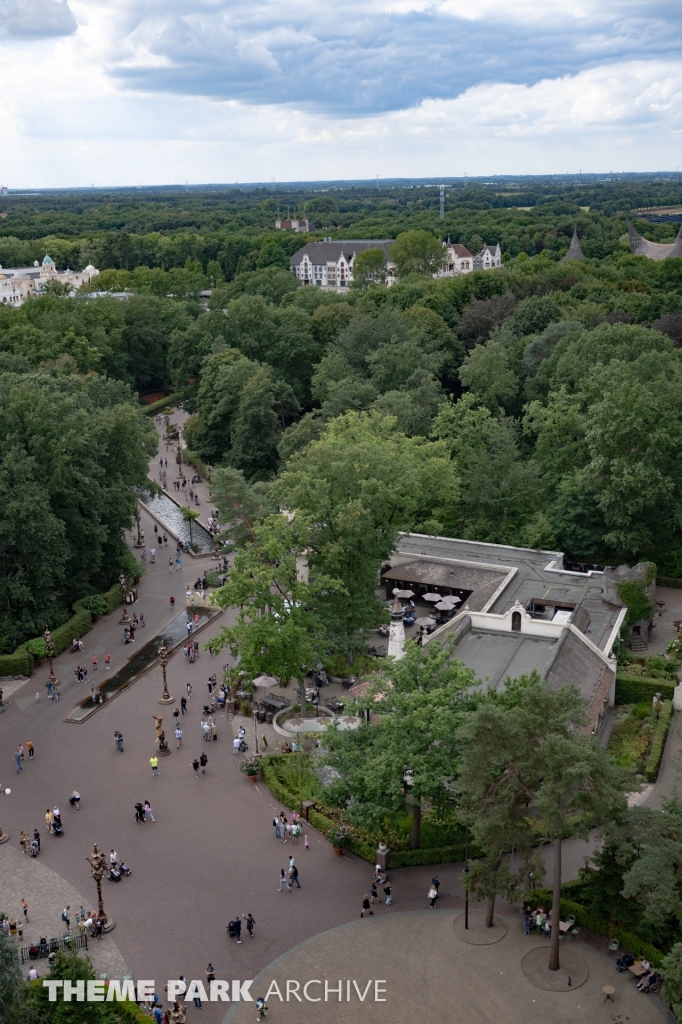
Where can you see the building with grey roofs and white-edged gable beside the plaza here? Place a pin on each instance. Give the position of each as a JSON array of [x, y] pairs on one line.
[[520, 610]]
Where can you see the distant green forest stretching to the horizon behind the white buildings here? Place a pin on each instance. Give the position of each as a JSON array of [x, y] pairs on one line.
[[228, 226]]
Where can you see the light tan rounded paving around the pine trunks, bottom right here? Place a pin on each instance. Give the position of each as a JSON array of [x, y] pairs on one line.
[[427, 973]]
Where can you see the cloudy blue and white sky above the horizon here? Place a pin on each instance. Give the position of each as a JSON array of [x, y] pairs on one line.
[[162, 92]]
